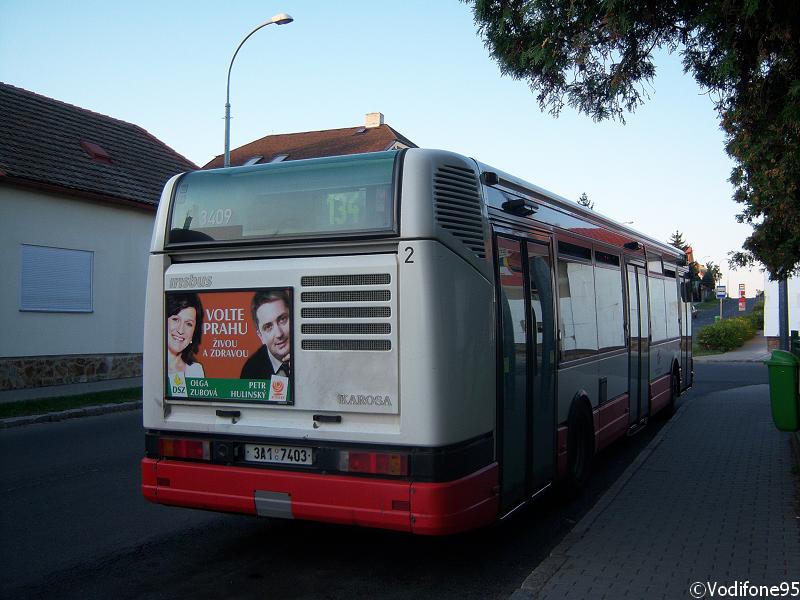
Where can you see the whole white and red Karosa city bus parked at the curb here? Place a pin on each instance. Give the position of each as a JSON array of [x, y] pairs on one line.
[[410, 340]]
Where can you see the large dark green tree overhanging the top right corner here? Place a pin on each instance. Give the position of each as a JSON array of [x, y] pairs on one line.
[[597, 56]]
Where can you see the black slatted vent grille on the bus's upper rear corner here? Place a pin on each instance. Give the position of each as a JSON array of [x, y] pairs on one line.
[[457, 200]]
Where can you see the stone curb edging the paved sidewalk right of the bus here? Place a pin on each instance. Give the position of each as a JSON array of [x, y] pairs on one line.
[[535, 582]]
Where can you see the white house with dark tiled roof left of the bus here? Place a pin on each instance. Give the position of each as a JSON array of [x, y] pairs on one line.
[[79, 192]]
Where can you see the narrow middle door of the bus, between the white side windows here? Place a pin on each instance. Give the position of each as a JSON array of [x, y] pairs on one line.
[[638, 344]]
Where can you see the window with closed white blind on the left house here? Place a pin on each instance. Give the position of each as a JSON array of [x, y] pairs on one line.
[[55, 279]]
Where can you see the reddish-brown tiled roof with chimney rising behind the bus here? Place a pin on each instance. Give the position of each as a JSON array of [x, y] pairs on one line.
[[373, 136]]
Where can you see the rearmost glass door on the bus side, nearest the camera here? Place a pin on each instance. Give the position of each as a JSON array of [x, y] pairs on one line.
[[526, 416]]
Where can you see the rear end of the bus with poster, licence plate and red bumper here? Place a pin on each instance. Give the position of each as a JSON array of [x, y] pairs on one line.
[[320, 343]]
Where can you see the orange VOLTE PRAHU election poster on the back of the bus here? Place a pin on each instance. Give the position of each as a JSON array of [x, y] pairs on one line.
[[230, 345]]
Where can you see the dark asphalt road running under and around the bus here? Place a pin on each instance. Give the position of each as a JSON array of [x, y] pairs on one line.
[[74, 525]]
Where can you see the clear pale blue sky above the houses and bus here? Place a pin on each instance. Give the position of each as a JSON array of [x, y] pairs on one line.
[[163, 65]]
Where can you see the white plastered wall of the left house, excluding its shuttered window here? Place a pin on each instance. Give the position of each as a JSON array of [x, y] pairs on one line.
[[120, 240]]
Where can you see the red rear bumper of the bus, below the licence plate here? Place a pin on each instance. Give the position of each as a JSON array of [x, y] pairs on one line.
[[422, 508]]
